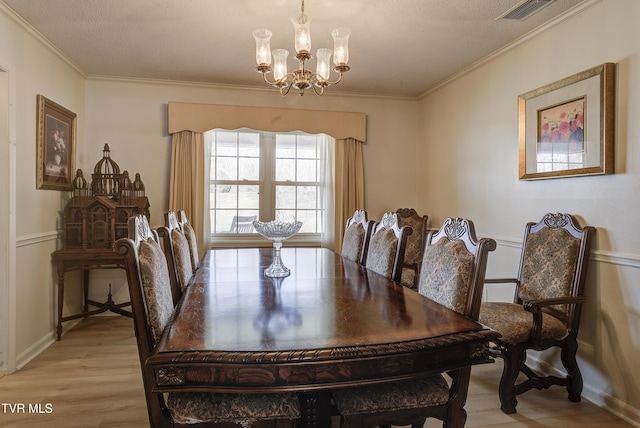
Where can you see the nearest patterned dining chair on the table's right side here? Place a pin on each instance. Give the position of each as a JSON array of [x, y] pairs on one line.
[[452, 274]]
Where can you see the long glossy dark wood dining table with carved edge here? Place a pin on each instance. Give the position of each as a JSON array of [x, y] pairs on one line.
[[330, 324]]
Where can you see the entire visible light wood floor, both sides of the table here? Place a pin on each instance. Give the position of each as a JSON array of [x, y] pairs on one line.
[[91, 378]]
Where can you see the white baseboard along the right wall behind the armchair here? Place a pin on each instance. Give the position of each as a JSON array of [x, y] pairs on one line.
[[594, 395]]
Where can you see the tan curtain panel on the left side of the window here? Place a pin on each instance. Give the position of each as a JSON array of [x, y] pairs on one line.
[[187, 183]]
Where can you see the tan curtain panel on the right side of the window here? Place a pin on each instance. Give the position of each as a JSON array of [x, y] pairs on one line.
[[349, 185]]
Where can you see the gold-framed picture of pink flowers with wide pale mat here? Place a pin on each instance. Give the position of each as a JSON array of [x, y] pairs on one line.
[[566, 128]]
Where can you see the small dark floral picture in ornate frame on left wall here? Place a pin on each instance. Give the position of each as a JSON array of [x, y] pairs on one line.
[[56, 146]]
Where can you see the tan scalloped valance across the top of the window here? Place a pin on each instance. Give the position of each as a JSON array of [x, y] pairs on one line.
[[204, 117]]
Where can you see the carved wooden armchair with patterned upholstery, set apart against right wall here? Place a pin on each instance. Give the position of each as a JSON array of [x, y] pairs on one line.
[[545, 312]]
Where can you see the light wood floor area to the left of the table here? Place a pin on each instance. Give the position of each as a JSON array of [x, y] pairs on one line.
[[91, 378]]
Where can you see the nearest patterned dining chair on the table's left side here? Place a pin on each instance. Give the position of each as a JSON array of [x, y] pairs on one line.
[[152, 307]]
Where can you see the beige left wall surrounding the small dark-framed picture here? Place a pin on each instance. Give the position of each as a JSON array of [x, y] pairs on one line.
[[31, 216]]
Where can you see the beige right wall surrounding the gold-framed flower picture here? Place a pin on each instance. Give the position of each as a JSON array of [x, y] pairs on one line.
[[468, 150]]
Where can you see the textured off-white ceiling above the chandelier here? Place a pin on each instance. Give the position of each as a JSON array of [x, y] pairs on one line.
[[397, 47]]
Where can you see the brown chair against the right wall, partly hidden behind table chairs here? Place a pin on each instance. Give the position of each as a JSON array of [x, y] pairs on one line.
[[415, 245]]
